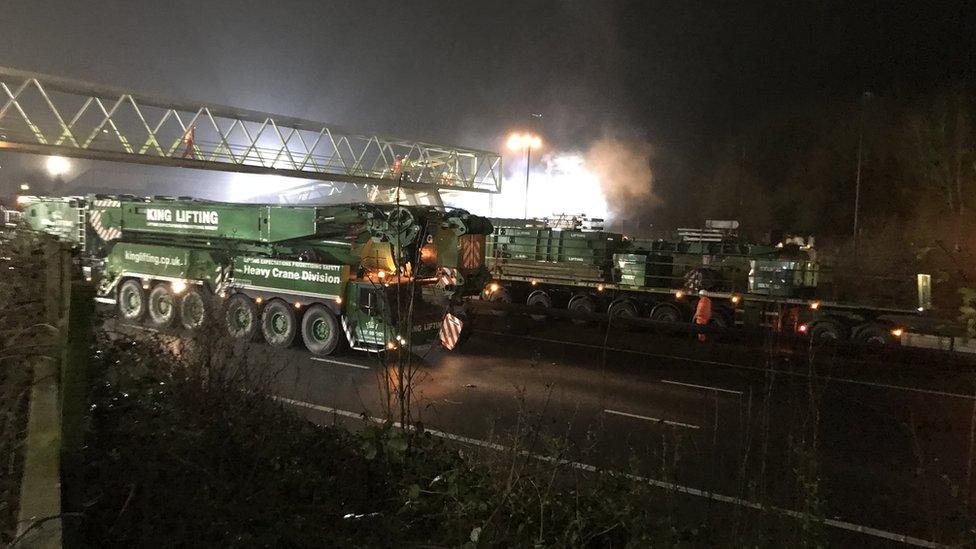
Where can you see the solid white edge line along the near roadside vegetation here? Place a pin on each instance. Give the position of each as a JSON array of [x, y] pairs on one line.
[[839, 524]]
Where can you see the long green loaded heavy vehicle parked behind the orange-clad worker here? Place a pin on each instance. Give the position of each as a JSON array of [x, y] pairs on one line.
[[774, 287]]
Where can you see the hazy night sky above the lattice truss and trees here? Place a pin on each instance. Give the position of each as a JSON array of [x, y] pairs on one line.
[[681, 76]]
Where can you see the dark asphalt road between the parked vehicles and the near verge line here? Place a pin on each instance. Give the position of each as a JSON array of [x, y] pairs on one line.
[[872, 443]]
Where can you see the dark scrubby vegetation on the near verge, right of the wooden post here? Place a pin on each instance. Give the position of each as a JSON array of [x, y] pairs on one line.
[[183, 448]]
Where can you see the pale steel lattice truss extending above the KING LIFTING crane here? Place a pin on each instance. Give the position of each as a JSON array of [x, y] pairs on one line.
[[50, 115]]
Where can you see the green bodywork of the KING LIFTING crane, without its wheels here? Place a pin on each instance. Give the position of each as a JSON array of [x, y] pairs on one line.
[[303, 254]]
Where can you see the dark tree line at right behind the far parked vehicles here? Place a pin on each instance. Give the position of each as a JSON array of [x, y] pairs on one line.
[[796, 170]]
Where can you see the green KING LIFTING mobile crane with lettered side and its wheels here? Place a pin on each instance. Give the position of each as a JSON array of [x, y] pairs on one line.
[[321, 273]]
